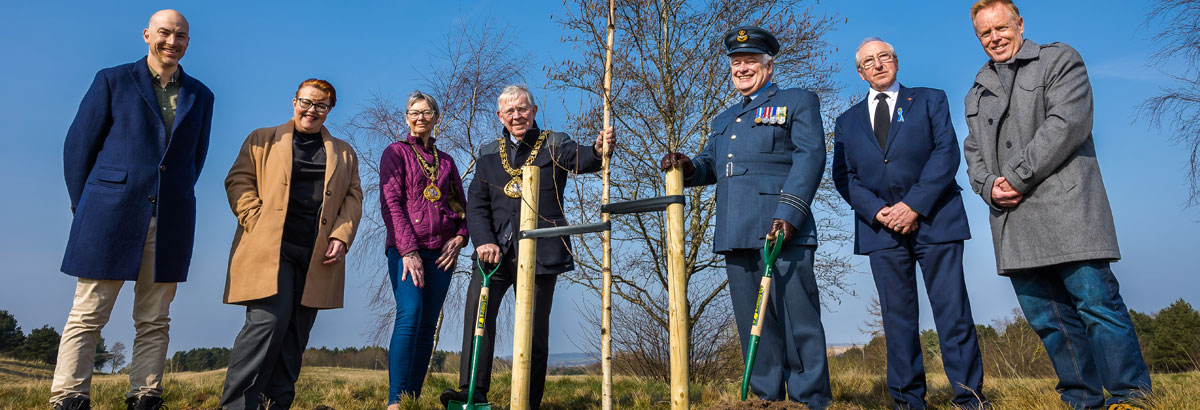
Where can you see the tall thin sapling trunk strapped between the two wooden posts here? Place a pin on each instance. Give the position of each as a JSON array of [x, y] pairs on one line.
[[607, 240]]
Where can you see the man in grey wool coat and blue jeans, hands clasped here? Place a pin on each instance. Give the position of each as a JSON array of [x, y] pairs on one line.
[[1030, 156]]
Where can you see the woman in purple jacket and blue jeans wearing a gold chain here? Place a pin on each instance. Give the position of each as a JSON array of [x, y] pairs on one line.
[[422, 200]]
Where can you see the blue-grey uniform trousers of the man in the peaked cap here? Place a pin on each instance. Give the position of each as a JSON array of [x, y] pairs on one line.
[[791, 360]]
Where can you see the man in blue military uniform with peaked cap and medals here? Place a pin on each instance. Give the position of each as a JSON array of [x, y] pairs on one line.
[[766, 155]]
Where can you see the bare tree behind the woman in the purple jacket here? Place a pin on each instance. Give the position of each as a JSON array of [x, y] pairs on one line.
[[466, 79]]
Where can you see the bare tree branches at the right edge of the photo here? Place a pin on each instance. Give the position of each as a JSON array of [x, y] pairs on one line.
[[1177, 110]]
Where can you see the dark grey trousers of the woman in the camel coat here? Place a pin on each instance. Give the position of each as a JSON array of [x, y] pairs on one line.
[[267, 354]]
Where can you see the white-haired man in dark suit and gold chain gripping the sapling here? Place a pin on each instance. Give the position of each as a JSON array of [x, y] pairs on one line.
[[494, 220]]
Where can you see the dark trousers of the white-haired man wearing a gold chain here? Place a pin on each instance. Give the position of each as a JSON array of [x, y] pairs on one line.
[[543, 300]]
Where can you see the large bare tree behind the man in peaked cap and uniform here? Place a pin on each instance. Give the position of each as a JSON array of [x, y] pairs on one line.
[[670, 80]]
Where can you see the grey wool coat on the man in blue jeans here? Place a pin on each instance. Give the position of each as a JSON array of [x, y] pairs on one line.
[[1046, 153]]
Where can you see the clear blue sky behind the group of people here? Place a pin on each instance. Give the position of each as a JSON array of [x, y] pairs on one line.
[[253, 55]]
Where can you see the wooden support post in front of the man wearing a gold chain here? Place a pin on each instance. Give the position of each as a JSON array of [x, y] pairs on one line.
[[527, 264]]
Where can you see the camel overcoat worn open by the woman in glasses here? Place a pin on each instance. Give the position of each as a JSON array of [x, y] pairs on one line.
[[259, 195]]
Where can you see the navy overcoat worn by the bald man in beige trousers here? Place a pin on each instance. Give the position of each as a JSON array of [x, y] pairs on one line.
[[121, 171]]
